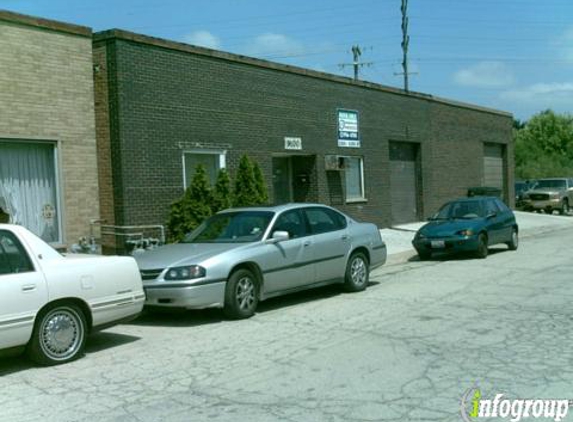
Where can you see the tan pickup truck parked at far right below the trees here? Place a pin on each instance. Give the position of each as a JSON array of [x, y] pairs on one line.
[[549, 195]]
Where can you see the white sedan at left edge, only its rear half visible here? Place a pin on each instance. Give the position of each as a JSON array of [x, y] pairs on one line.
[[49, 303]]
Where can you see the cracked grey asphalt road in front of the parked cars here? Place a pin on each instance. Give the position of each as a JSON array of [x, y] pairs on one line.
[[404, 350]]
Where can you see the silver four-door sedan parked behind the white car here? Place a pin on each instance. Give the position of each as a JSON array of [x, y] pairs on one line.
[[241, 256]]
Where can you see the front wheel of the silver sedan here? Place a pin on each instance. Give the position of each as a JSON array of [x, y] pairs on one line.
[[241, 295]]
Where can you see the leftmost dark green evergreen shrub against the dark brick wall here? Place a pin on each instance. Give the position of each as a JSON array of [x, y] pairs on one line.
[[192, 208]]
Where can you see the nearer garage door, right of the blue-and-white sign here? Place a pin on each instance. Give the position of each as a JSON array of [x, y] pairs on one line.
[[403, 185]]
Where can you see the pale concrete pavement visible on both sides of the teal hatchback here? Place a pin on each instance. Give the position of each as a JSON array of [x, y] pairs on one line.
[[399, 238]]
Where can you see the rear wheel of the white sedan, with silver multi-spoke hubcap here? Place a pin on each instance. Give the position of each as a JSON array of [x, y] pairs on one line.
[[59, 335]]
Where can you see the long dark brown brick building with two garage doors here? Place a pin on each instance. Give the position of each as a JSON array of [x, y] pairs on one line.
[[378, 153]]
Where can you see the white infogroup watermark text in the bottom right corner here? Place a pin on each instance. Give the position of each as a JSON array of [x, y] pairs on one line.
[[474, 406]]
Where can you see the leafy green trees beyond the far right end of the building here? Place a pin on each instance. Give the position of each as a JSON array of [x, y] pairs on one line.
[[544, 146]]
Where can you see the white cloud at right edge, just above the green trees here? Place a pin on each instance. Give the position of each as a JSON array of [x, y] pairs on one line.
[[543, 95]]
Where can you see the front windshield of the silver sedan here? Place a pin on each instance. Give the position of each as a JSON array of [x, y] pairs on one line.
[[231, 227]]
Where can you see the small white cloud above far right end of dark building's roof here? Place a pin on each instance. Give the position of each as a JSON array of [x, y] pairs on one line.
[[485, 75]]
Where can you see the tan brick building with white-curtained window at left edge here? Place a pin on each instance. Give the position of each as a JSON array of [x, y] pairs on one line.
[[48, 157]]
